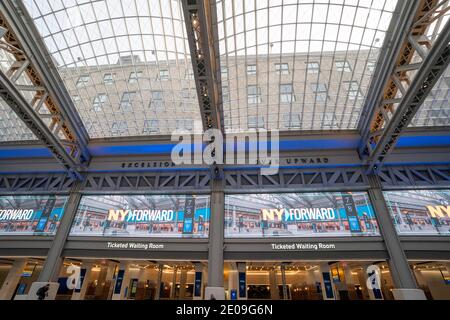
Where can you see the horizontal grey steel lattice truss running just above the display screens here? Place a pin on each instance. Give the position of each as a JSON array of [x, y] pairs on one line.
[[199, 181]]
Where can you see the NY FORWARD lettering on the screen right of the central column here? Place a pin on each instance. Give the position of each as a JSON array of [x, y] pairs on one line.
[[303, 214]]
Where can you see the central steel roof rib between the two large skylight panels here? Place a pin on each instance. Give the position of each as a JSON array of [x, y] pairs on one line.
[[200, 17]]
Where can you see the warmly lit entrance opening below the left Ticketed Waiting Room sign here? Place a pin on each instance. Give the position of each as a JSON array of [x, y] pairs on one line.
[[109, 279]]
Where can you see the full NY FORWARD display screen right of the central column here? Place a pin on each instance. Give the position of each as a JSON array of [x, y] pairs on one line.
[[324, 214]]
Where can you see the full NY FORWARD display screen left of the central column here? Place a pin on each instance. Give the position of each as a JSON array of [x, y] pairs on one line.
[[176, 216]]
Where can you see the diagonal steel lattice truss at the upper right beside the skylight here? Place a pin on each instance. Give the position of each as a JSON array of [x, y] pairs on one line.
[[409, 83]]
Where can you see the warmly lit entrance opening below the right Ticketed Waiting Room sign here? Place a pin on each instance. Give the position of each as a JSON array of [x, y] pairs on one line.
[[307, 280]]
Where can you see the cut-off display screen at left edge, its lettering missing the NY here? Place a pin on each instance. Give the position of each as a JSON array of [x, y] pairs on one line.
[[31, 215]]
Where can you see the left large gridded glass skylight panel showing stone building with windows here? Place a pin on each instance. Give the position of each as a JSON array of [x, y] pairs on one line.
[[126, 64]]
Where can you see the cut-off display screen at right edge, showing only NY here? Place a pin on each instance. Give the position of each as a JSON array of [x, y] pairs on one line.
[[420, 212]]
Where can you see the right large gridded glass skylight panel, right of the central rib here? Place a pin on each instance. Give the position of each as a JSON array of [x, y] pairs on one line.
[[298, 65]]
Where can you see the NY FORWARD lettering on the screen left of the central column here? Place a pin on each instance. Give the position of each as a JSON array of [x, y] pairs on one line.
[[140, 215]]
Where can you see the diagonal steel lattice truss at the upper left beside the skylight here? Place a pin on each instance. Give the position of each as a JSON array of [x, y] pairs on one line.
[[50, 114]]
